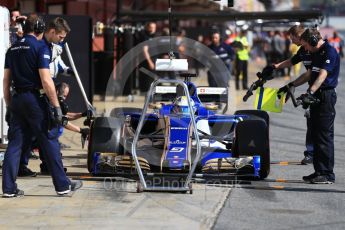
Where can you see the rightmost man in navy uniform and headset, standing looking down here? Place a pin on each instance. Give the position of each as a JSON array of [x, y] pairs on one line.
[[323, 78]]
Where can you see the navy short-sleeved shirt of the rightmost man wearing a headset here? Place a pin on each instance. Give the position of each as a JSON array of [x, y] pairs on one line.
[[326, 58]]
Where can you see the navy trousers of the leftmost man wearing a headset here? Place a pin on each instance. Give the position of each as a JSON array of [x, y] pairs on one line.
[[31, 114]]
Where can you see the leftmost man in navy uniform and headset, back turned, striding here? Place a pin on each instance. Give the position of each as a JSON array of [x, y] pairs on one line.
[[27, 71]]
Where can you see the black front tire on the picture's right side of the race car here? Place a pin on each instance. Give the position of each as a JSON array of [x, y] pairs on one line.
[[252, 138]]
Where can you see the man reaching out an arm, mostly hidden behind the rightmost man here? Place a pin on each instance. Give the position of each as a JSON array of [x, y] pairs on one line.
[[304, 56]]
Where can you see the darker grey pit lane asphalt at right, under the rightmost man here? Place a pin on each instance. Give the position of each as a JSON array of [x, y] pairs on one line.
[[283, 200]]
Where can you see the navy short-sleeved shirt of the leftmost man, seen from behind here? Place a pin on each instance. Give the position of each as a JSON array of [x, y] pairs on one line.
[[24, 58]]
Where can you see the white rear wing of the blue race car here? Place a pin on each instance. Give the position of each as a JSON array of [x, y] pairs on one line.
[[206, 94]]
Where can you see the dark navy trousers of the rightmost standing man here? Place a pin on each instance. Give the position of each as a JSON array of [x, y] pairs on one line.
[[322, 116]]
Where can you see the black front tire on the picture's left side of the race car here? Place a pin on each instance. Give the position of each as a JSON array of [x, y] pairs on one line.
[[105, 137]]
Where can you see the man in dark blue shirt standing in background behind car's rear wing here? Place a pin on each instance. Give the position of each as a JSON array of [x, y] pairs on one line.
[[226, 54]]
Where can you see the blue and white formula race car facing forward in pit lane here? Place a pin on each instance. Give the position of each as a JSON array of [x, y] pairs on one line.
[[166, 142]]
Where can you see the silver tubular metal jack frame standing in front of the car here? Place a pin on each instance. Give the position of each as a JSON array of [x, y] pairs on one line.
[[187, 186]]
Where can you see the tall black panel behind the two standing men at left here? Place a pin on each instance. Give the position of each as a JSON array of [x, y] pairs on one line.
[[80, 44]]
